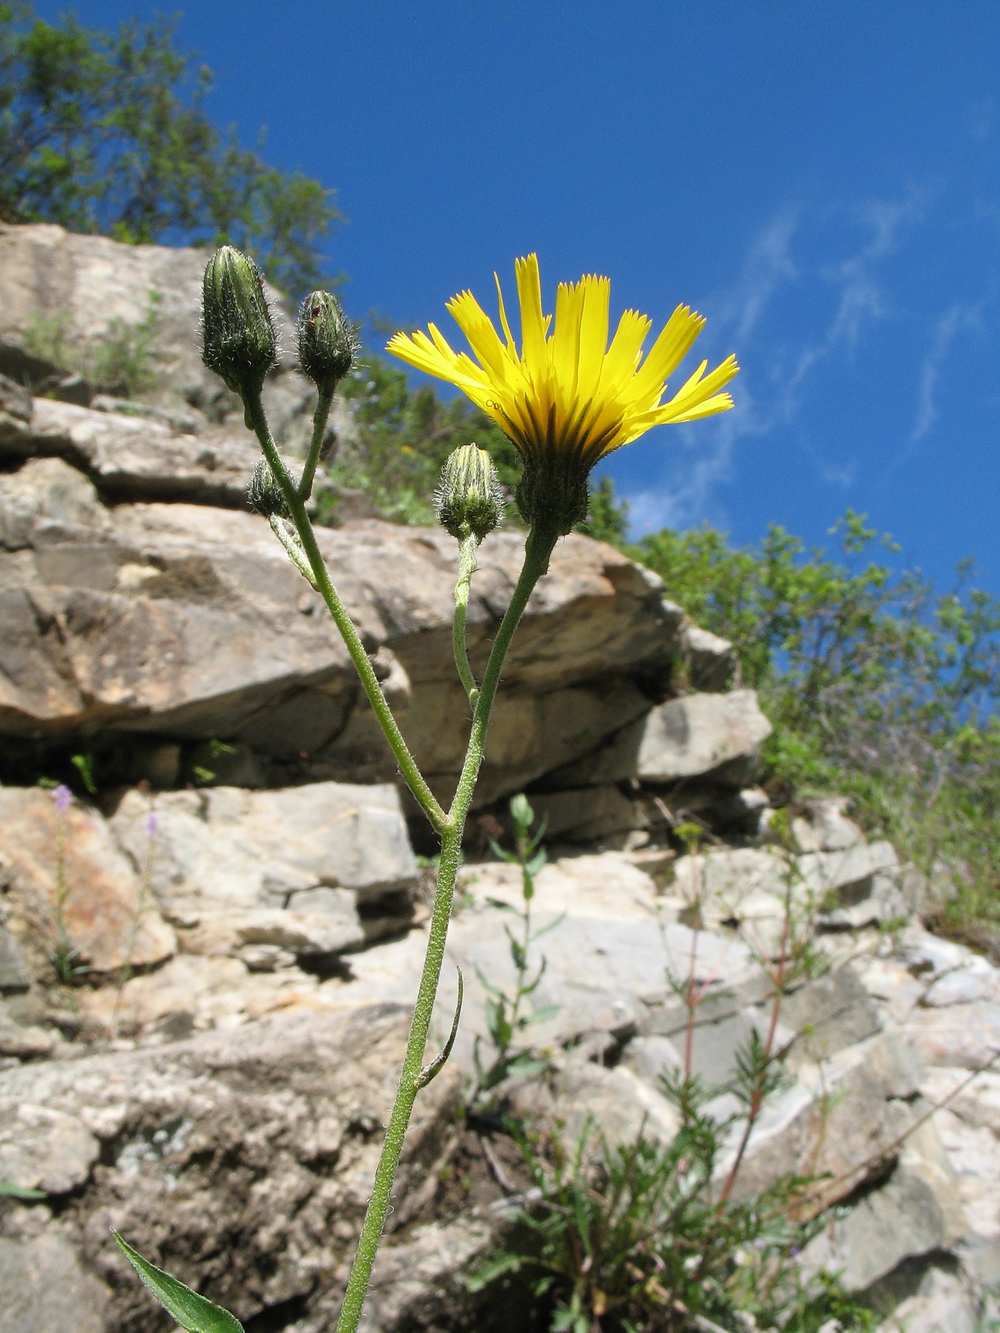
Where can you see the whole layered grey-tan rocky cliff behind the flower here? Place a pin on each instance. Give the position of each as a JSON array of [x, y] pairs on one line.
[[206, 968]]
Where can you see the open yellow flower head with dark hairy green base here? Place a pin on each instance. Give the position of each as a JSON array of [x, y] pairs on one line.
[[569, 399]]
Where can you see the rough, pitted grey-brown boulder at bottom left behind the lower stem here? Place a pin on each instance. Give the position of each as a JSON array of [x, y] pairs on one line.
[[266, 1135]]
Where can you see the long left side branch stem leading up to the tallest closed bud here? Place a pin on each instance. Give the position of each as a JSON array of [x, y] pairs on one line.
[[370, 683]]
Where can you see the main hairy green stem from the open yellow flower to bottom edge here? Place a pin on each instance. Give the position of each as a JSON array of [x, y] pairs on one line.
[[537, 557]]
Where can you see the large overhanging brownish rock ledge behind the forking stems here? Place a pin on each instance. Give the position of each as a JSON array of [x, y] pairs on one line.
[[246, 653]]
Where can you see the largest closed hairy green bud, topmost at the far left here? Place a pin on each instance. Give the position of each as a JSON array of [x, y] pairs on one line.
[[238, 337]]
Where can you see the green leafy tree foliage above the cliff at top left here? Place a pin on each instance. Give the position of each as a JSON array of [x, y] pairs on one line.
[[106, 133]]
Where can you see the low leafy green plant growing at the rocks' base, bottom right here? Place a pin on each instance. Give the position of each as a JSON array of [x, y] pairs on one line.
[[631, 1239]]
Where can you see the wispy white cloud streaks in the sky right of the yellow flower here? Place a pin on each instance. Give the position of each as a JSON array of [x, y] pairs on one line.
[[817, 290]]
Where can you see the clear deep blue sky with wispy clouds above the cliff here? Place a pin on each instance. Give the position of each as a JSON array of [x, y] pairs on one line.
[[821, 181]]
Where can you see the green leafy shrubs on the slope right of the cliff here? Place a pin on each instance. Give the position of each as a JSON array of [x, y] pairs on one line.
[[878, 686]]
